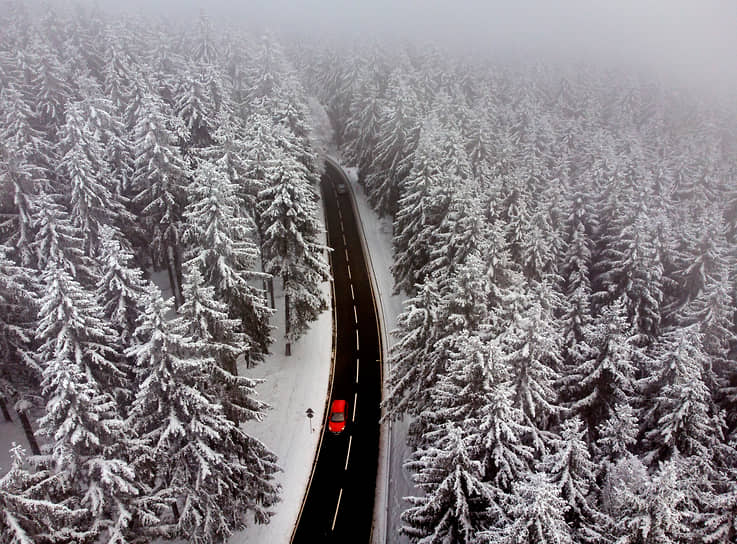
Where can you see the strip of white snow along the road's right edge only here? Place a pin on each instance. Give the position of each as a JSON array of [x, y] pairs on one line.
[[393, 481]]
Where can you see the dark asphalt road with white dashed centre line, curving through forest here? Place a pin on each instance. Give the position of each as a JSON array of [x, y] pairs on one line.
[[340, 501]]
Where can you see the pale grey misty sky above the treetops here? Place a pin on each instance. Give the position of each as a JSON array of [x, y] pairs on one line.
[[696, 39]]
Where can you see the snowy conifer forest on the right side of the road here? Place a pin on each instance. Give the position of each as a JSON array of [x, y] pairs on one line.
[[565, 237]]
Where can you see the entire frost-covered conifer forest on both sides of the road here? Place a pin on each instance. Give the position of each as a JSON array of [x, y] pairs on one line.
[[565, 237]]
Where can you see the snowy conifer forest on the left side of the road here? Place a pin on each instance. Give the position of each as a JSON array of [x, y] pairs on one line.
[[127, 148]]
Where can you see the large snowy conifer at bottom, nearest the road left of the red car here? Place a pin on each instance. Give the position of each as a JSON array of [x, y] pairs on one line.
[[193, 457]]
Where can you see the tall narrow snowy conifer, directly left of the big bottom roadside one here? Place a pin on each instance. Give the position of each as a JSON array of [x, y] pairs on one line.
[[88, 444]]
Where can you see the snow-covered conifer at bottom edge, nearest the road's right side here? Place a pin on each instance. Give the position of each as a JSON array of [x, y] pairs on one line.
[[456, 503]]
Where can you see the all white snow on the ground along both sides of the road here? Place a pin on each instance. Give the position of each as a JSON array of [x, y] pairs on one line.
[[300, 381]]
